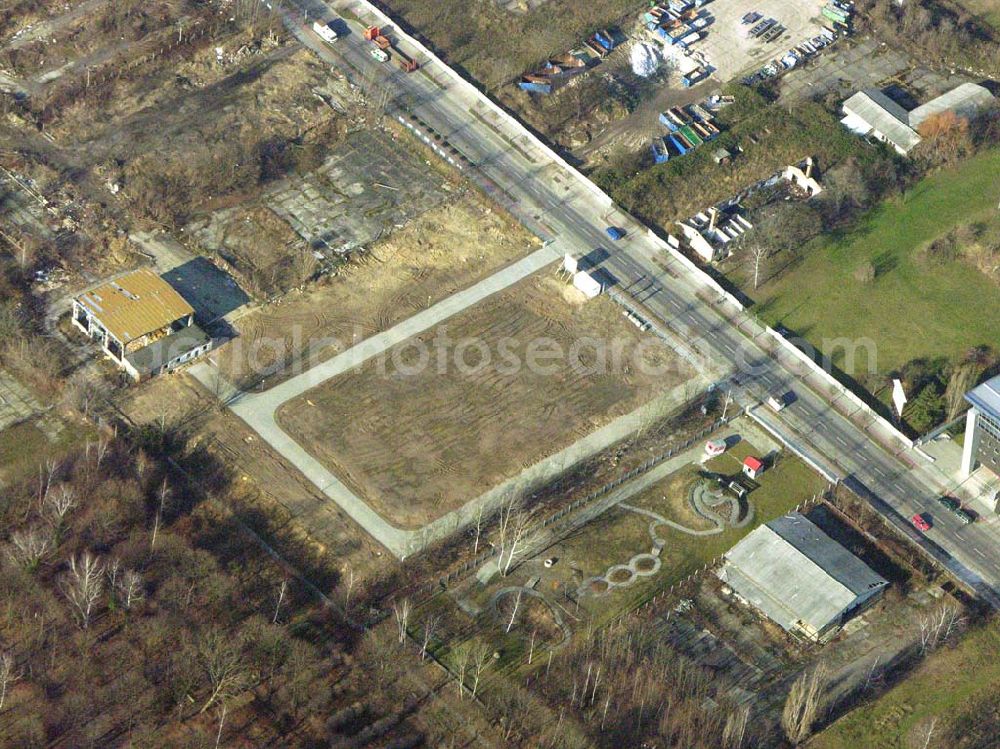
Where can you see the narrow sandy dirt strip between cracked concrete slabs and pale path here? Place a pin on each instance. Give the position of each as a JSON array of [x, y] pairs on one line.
[[439, 253]]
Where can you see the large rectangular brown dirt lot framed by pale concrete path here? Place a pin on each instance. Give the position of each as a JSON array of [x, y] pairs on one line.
[[417, 444]]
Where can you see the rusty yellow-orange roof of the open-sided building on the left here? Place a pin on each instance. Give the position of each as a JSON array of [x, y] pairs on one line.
[[135, 304]]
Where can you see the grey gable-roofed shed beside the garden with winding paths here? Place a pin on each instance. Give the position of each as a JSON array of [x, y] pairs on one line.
[[799, 577]]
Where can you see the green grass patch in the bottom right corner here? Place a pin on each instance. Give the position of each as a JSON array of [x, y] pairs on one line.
[[959, 686]]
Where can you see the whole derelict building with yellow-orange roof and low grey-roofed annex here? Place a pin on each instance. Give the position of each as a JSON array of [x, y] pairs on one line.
[[142, 323]]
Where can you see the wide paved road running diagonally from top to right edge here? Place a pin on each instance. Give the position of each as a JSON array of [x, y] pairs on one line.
[[551, 198]]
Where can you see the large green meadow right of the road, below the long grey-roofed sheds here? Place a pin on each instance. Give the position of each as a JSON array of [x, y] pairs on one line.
[[913, 308]]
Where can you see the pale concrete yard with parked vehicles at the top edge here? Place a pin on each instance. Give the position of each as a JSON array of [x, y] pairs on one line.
[[728, 46]]
